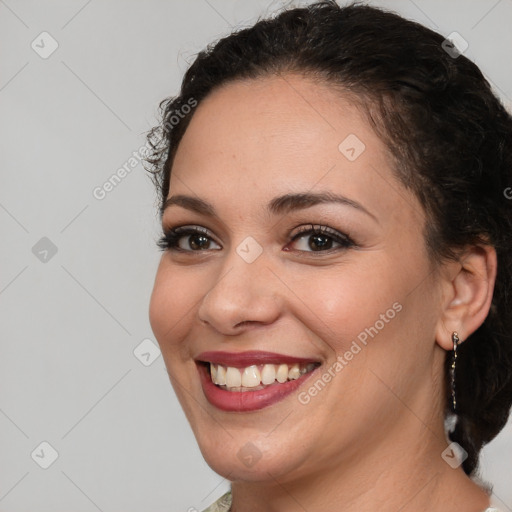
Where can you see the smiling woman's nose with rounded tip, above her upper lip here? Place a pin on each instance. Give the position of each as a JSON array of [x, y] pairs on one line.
[[242, 296]]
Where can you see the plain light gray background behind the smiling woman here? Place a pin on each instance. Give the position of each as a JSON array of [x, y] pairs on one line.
[[72, 320]]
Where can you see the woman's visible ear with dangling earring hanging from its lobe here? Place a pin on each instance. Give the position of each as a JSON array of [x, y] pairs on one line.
[[468, 287]]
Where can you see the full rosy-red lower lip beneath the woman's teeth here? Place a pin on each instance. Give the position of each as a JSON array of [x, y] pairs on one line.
[[242, 401]]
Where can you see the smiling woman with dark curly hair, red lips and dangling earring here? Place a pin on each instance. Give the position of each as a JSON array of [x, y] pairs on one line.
[[333, 302]]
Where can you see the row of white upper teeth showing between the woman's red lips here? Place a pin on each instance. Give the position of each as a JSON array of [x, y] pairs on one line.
[[256, 377]]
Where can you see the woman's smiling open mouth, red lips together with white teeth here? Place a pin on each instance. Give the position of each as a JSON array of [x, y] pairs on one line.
[[251, 380]]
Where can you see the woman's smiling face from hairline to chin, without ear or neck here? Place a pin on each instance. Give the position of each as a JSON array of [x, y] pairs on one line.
[[307, 247]]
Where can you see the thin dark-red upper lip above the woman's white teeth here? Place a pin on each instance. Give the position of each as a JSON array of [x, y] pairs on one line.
[[249, 358]]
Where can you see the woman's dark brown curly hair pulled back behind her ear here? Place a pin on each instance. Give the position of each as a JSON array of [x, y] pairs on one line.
[[448, 135]]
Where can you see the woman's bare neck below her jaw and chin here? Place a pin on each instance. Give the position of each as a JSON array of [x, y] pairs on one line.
[[405, 473]]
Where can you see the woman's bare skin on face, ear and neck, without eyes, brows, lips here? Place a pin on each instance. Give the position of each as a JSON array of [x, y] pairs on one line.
[[373, 437]]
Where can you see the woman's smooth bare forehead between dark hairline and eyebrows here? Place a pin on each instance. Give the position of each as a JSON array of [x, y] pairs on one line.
[[273, 135]]
